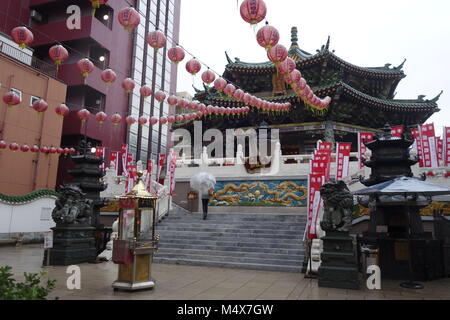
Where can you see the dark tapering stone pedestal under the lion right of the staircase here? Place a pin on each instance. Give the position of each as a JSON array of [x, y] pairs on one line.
[[339, 268]]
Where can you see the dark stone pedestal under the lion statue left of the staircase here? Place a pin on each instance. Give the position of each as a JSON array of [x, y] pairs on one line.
[[72, 245]]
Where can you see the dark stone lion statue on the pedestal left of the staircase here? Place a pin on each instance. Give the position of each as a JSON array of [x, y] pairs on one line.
[[72, 207]]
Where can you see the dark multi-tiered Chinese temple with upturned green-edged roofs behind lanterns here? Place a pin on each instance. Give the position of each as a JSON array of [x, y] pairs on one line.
[[363, 99]]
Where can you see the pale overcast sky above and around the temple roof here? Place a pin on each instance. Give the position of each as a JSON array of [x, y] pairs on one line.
[[365, 33]]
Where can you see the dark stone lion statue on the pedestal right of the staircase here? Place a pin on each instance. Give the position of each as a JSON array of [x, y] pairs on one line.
[[338, 205]]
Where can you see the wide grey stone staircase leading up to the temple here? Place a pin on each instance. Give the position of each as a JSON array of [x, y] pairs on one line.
[[249, 241]]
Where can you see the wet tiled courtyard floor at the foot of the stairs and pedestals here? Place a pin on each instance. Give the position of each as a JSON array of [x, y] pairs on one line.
[[176, 282]]
